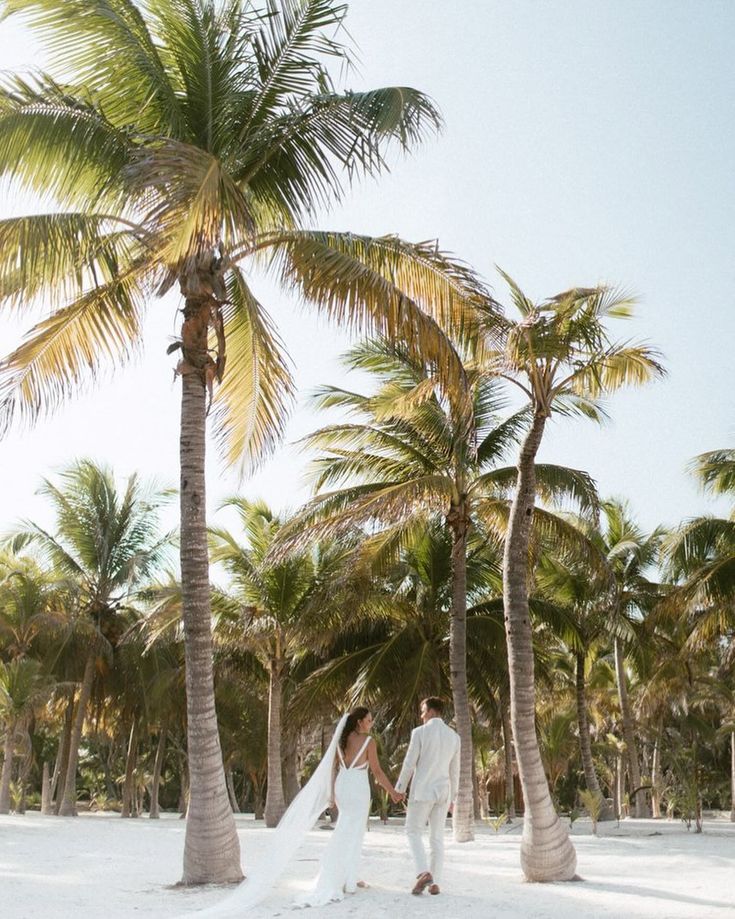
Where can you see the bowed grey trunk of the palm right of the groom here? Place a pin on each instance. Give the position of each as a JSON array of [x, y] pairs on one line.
[[547, 853]]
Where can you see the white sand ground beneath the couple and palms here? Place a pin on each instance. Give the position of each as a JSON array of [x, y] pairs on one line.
[[102, 866]]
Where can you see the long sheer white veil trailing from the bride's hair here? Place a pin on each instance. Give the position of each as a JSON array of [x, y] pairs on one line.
[[285, 840]]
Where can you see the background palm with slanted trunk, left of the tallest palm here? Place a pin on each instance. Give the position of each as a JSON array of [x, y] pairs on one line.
[[106, 543]]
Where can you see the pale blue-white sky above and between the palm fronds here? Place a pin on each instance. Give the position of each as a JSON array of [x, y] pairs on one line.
[[585, 141]]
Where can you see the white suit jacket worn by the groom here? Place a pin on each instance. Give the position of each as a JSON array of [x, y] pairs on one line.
[[431, 763]]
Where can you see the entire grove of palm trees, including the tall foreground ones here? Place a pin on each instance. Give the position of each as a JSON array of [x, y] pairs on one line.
[[187, 145]]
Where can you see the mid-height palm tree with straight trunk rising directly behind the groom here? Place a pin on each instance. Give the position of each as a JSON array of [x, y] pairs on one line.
[[413, 453]]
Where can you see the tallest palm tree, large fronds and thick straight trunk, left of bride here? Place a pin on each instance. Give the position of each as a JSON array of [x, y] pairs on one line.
[[180, 141]]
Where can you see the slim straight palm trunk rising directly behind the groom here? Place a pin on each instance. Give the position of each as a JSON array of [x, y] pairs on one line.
[[464, 812]]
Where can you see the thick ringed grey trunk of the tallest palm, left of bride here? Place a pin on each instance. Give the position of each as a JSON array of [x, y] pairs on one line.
[[211, 847]]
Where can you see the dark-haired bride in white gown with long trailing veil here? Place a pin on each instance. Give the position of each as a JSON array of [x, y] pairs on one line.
[[342, 778]]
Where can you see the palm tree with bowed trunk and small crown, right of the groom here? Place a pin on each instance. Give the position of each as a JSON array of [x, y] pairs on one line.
[[560, 354]]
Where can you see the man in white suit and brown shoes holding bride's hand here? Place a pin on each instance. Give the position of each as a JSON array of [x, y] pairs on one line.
[[432, 767]]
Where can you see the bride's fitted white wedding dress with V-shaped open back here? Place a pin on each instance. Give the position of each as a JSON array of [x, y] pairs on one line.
[[339, 866]]
